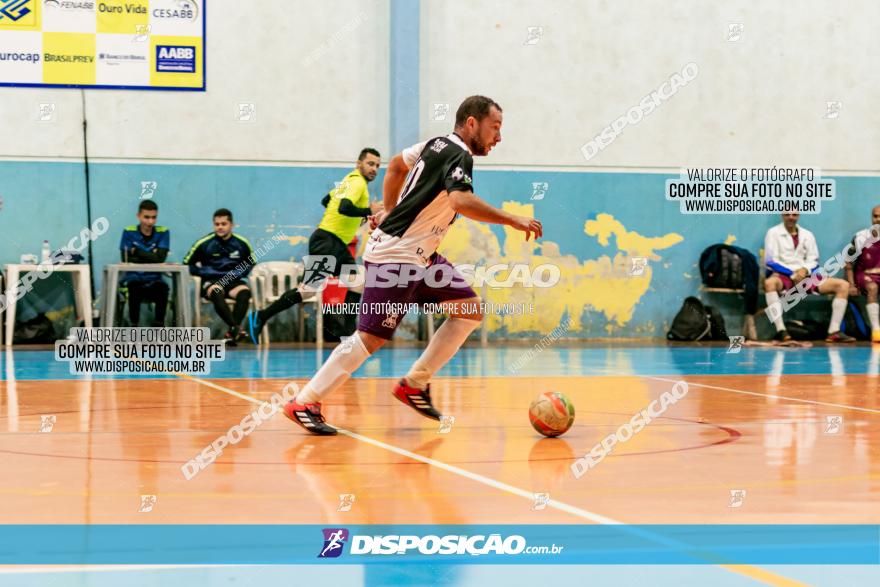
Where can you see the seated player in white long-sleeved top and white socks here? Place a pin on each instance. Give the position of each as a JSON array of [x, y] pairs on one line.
[[791, 255]]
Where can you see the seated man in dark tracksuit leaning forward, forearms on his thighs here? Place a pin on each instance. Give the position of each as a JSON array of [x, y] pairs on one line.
[[223, 260]]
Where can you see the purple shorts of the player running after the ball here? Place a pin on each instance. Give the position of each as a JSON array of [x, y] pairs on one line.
[[377, 316]]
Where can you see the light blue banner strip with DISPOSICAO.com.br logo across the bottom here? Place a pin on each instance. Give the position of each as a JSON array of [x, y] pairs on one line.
[[480, 544]]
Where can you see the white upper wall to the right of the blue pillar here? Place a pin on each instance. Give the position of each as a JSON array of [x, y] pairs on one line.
[[759, 100]]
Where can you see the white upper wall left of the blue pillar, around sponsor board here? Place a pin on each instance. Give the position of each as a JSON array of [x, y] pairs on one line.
[[317, 72]]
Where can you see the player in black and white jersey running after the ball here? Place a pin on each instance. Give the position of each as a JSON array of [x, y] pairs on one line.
[[425, 188]]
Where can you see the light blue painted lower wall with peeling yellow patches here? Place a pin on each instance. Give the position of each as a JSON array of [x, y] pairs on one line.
[[47, 200]]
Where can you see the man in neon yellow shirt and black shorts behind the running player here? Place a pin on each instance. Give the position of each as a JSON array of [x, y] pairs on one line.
[[348, 204]]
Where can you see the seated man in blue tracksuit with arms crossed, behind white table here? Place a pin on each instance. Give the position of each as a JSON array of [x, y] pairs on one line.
[[145, 243]]
